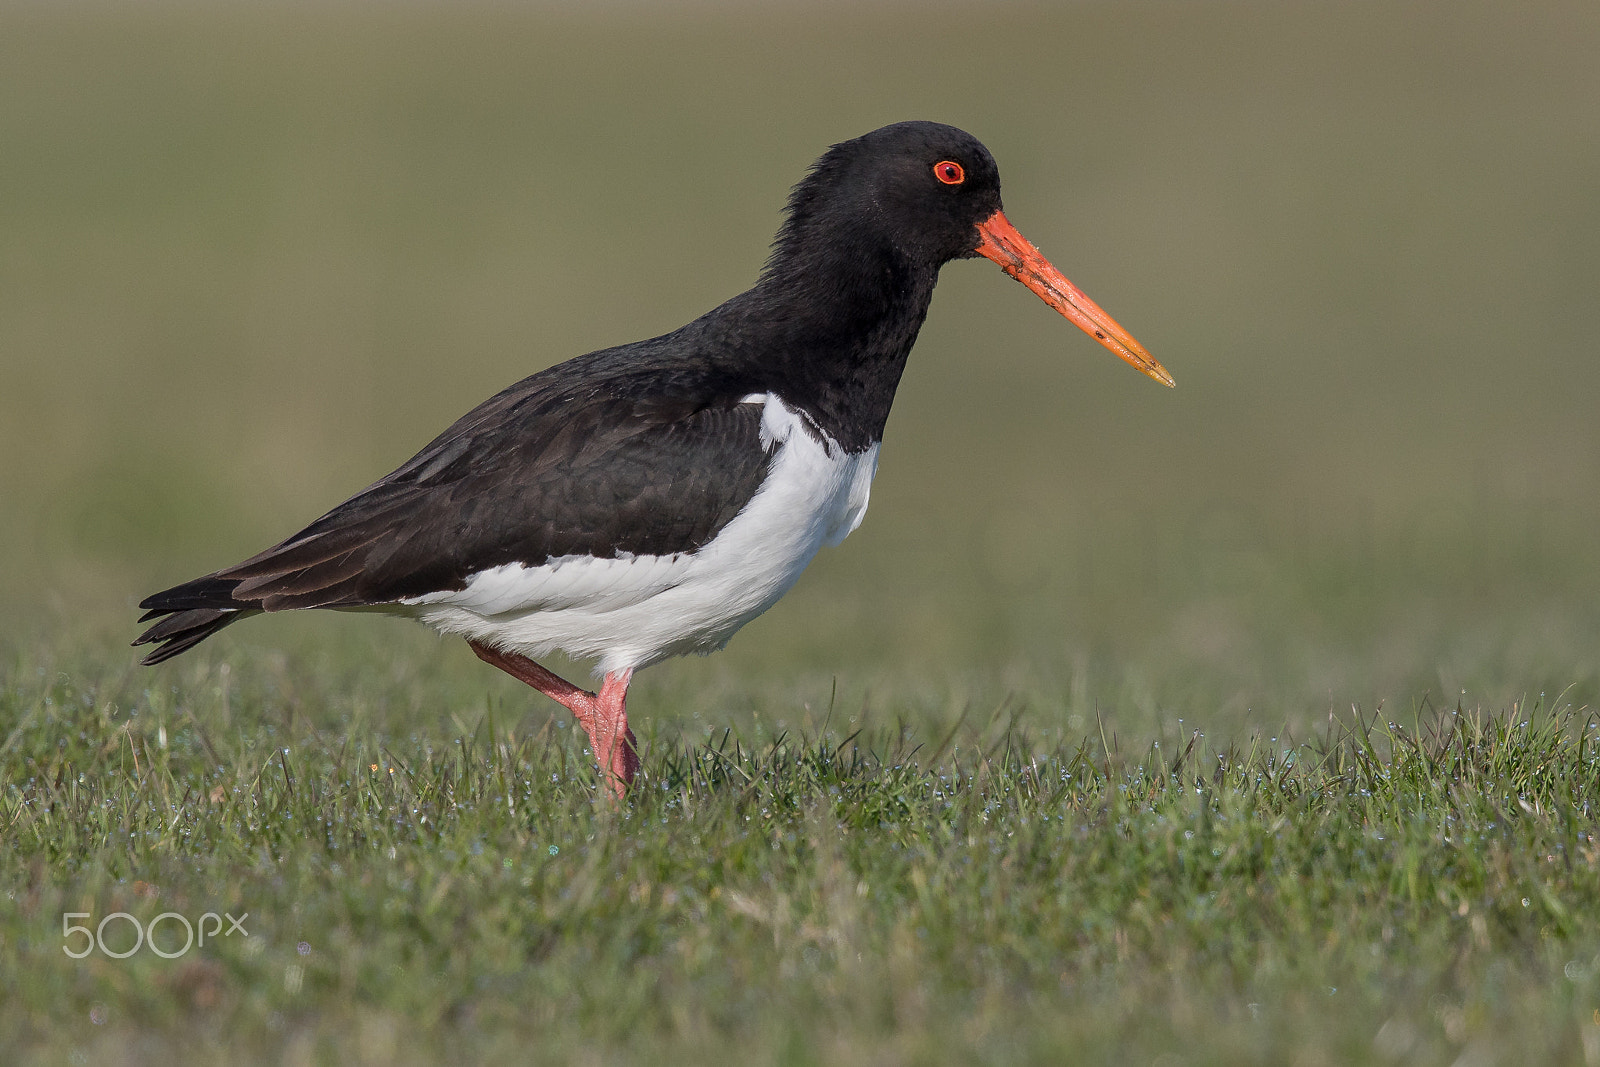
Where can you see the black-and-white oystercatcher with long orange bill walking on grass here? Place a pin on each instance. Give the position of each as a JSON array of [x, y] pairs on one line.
[[649, 500]]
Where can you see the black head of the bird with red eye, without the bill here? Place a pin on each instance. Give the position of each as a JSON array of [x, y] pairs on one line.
[[921, 188]]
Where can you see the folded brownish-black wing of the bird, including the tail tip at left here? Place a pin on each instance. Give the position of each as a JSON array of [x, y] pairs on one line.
[[559, 465]]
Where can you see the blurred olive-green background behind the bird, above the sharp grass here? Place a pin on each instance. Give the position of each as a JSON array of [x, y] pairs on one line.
[[252, 257]]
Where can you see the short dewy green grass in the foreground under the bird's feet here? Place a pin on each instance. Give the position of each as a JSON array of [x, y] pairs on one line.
[[1382, 892]]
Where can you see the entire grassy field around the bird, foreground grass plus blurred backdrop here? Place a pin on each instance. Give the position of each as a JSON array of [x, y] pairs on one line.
[[1246, 722]]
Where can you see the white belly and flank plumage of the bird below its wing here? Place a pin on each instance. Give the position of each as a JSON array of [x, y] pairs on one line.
[[636, 610]]
